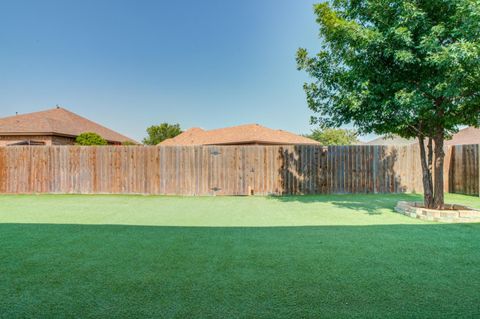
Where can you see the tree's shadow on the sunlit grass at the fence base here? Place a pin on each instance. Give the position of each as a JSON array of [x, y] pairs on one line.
[[371, 204]]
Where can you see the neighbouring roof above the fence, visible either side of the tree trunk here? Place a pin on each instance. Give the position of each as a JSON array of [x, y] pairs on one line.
[[469, 135]]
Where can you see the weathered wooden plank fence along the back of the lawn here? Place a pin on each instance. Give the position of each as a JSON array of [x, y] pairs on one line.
[[229, 170]]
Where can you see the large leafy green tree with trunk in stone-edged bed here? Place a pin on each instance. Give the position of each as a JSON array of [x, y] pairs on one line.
[[405, 67]]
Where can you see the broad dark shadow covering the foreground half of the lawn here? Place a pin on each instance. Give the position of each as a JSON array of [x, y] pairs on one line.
[[282, 272]]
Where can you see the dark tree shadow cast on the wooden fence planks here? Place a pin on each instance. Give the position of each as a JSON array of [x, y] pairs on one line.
[[340, 170]]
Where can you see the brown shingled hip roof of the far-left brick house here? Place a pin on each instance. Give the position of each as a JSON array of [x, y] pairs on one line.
[[57, 121]]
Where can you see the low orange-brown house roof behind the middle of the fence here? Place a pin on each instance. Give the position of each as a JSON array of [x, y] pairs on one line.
[[250, 134]]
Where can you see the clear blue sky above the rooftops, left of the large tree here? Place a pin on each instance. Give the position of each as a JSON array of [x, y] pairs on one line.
[[131, 64]]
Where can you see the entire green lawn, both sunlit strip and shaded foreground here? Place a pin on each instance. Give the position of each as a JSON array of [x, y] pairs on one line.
[[228, 257]]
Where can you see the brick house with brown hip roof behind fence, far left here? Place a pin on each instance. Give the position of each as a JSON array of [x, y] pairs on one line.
[[56, 126]]
